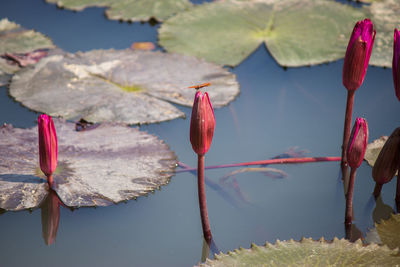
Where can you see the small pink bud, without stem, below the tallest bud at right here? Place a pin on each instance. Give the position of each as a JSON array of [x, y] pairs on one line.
[[357, 143]]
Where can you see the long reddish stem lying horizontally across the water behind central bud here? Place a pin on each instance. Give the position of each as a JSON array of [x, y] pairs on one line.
[[269, 161]]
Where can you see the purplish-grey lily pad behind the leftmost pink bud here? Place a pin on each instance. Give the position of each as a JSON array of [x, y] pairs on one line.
[[96, 167]]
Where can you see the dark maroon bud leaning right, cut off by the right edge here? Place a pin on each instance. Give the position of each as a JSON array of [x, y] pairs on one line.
[[386, 164]]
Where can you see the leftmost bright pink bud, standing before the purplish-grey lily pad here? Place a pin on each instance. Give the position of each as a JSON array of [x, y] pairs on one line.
[[47, 144]]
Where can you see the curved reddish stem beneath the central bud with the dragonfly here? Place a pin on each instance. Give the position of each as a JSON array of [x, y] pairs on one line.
[[202, 199]]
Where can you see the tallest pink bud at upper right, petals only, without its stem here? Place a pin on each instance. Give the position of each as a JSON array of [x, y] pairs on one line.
[[358, 53]]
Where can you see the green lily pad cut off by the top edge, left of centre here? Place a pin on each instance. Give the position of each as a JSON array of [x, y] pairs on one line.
[[129, 10]]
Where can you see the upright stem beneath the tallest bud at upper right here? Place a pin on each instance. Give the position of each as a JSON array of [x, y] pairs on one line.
[[347, 130]]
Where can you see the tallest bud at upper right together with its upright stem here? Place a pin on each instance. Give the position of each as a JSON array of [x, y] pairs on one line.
[[354, 68]]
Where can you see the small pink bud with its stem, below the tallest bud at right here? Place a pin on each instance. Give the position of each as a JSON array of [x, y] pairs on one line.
[[355, 155]]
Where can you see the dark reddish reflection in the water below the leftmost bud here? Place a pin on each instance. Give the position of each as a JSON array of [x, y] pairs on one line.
[[50, 210]]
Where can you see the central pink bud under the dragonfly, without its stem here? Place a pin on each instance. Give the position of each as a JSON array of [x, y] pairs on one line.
[[202, 123]]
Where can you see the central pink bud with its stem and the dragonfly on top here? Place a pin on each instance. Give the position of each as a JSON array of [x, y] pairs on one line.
[[202, 126]]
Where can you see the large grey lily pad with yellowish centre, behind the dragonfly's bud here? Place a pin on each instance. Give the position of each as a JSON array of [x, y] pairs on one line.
[[119, 85]]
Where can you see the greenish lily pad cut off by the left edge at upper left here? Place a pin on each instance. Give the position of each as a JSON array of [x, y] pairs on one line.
[[15, 39]]
